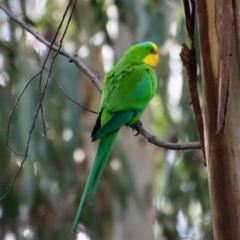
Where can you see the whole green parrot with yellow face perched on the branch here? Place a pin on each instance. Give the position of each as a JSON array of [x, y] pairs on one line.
[[127, 89]]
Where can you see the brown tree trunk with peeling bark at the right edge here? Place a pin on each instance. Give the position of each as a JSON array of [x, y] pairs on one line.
[[222, 150]]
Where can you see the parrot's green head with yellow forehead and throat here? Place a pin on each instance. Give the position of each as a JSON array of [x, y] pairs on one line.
[[147, 52]]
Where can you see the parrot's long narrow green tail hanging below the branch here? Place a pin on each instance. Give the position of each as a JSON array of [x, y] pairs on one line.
[[104, 149]]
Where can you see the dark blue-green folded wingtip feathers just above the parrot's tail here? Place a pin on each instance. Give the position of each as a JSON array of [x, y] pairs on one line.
[[117, 120]]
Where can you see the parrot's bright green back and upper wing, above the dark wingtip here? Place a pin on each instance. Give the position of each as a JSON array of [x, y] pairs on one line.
[[131, 89]]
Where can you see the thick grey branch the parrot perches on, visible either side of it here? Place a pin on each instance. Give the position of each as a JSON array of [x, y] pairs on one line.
[[94, 78]]
